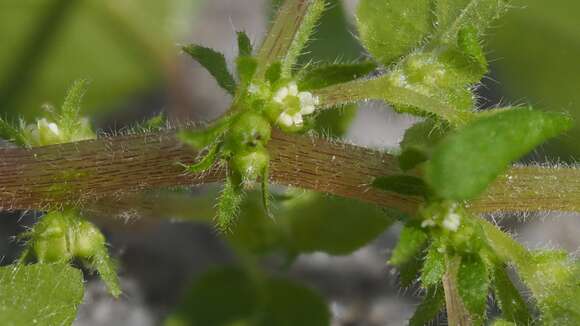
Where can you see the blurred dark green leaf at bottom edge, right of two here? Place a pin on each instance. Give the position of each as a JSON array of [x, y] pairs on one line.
[[290, 304]]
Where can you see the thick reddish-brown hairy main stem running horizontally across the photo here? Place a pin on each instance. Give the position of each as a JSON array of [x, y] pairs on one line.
[[111, 168]]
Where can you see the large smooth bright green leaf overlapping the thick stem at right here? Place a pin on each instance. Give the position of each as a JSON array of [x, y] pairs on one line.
[[466, 162]]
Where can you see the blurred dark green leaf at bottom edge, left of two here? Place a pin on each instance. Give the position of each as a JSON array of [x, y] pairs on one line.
[[219, 297]]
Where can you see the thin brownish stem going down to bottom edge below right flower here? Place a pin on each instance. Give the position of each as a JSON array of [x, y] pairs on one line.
[[457, 315]]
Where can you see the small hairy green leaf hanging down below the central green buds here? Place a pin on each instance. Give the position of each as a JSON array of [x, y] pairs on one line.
[[229, 204]]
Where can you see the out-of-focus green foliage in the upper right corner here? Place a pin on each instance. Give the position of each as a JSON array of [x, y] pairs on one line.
[[535, 50]]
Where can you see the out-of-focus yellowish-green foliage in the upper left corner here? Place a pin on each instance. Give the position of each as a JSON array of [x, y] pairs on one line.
[[122, 47]]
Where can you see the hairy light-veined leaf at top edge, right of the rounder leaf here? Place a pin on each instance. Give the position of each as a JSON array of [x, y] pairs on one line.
[[453, 15]]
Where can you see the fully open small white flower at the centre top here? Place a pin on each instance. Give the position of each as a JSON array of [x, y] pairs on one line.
[[291, 115]]
